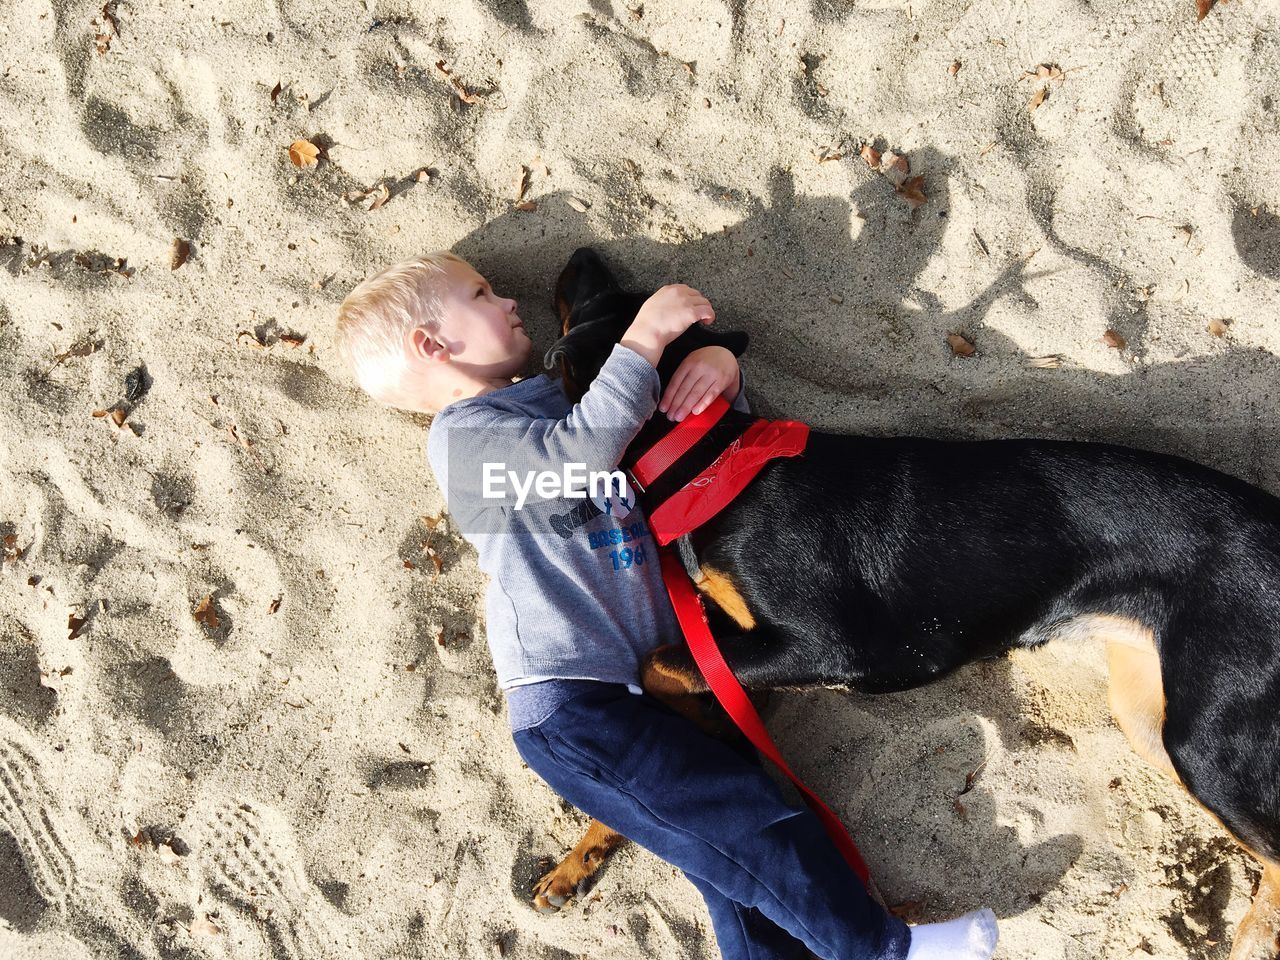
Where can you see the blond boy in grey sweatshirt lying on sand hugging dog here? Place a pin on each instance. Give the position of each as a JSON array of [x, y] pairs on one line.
[[569, 624]]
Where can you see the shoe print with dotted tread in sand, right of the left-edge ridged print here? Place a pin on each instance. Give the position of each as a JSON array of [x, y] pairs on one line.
[[250, 858]]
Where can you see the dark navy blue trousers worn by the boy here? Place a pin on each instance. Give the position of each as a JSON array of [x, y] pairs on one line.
[[772, 880]]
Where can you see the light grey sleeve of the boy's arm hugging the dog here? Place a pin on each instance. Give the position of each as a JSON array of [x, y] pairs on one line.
[[596, 432]]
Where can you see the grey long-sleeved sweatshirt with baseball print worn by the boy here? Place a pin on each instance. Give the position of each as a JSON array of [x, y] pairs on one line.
[[575, 587]]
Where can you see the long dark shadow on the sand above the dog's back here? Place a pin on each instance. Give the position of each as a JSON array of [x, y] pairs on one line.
[[831, 292]]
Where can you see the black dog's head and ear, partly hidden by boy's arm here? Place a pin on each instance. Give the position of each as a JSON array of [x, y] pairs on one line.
[[596, 312]]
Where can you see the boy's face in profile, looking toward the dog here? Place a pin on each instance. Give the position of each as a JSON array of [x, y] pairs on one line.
[[482, 331]]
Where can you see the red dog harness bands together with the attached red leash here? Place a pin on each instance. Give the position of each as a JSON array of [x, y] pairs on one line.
[[691, 508]]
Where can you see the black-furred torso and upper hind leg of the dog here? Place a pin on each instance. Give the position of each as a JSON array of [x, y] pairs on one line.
[[908, 557]]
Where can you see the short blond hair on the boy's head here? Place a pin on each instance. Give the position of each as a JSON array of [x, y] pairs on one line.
[[378, 314]]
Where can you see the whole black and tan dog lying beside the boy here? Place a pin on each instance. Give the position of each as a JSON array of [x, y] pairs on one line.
[[881, 565]]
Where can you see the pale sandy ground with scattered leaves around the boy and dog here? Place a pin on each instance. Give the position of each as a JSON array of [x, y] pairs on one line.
[[318, 765]]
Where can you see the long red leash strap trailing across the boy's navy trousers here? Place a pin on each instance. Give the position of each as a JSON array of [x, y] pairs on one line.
[[733, 698]]
